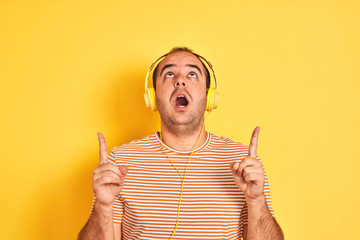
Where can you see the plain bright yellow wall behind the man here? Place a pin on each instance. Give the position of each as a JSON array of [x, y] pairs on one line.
[[69, 69]]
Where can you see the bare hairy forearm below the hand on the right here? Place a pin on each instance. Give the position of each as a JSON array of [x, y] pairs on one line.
[[261, 224]]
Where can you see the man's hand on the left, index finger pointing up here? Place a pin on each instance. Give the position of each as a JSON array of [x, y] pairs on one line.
[[108, 179]]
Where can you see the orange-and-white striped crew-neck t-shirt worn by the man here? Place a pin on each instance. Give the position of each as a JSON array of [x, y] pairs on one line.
[[212, 207]]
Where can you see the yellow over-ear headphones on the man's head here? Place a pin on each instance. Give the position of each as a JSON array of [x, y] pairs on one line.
[[212, 94]]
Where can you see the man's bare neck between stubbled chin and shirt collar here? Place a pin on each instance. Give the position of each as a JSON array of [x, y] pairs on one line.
[[184, 142]]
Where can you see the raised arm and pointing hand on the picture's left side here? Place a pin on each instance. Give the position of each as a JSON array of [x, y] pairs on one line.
[[108, 181]]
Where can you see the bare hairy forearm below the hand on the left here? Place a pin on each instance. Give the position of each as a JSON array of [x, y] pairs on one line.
[[99, 225]]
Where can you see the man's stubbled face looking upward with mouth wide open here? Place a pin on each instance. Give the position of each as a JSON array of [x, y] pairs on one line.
[[181, 89]]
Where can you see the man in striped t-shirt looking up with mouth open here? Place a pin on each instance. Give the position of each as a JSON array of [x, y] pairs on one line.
[[184, 183]]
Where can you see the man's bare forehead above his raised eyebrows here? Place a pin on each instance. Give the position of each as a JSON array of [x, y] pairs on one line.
[[181, 58]]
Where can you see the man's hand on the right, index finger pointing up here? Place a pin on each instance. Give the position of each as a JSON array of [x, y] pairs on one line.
[[249, 173]]
